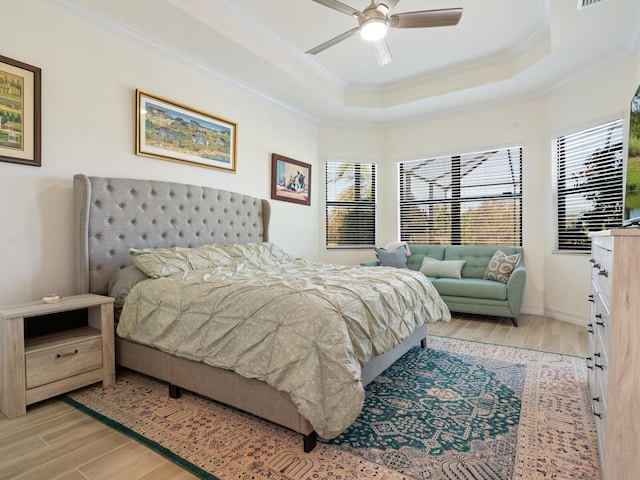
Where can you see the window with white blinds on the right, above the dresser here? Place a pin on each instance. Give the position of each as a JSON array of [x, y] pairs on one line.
[[588, 183]]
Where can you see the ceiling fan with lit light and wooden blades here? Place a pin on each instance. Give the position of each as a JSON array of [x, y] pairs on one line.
[[375, 20]]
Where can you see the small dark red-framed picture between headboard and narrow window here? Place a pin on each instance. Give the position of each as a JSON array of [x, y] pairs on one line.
[[290, 180]]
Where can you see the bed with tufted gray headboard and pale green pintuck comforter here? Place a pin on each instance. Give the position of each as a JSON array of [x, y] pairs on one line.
[[114, 217]]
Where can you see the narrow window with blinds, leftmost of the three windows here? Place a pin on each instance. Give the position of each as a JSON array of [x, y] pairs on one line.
[[351, 204]]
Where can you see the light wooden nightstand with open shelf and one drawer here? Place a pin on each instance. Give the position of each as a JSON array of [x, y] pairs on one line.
[[63, 359]]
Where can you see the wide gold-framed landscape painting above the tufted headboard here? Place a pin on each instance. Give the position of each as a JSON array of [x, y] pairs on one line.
[[175, 132]]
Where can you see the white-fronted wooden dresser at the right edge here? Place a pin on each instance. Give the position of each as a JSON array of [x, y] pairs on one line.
[[614, 364]]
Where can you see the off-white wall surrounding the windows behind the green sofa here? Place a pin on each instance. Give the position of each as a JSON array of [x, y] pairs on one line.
[[557, 284]]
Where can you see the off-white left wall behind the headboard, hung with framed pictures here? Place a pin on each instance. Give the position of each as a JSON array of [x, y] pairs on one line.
[[89, 76]]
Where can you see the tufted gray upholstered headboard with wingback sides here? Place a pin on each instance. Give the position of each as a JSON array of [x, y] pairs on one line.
[[112, 215]]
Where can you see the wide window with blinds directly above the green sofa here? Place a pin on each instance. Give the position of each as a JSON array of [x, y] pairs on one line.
[[467, 199]]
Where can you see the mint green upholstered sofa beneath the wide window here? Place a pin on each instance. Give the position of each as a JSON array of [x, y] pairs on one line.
[[471, 293]]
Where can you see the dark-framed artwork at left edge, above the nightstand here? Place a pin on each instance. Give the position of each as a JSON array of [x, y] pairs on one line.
[[20, 111]]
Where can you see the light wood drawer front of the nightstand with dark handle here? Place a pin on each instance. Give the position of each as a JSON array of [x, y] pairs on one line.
[[60, 361]]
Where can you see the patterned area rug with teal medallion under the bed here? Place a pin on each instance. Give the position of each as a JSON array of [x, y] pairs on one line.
[[456, 410]]
